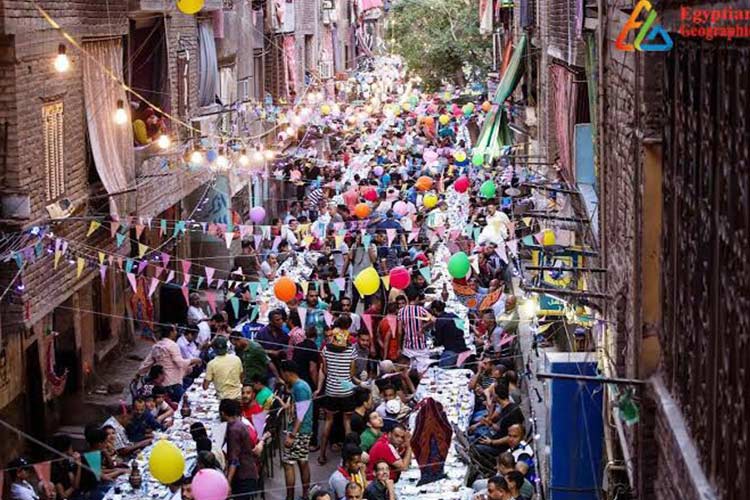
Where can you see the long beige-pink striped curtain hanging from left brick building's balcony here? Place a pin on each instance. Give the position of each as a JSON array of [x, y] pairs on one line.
[[111, 144]]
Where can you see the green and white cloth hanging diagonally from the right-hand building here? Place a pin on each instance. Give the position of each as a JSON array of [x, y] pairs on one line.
[[496, 132]]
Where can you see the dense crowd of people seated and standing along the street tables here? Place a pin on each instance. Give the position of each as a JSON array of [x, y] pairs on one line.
[[340, 367]]
